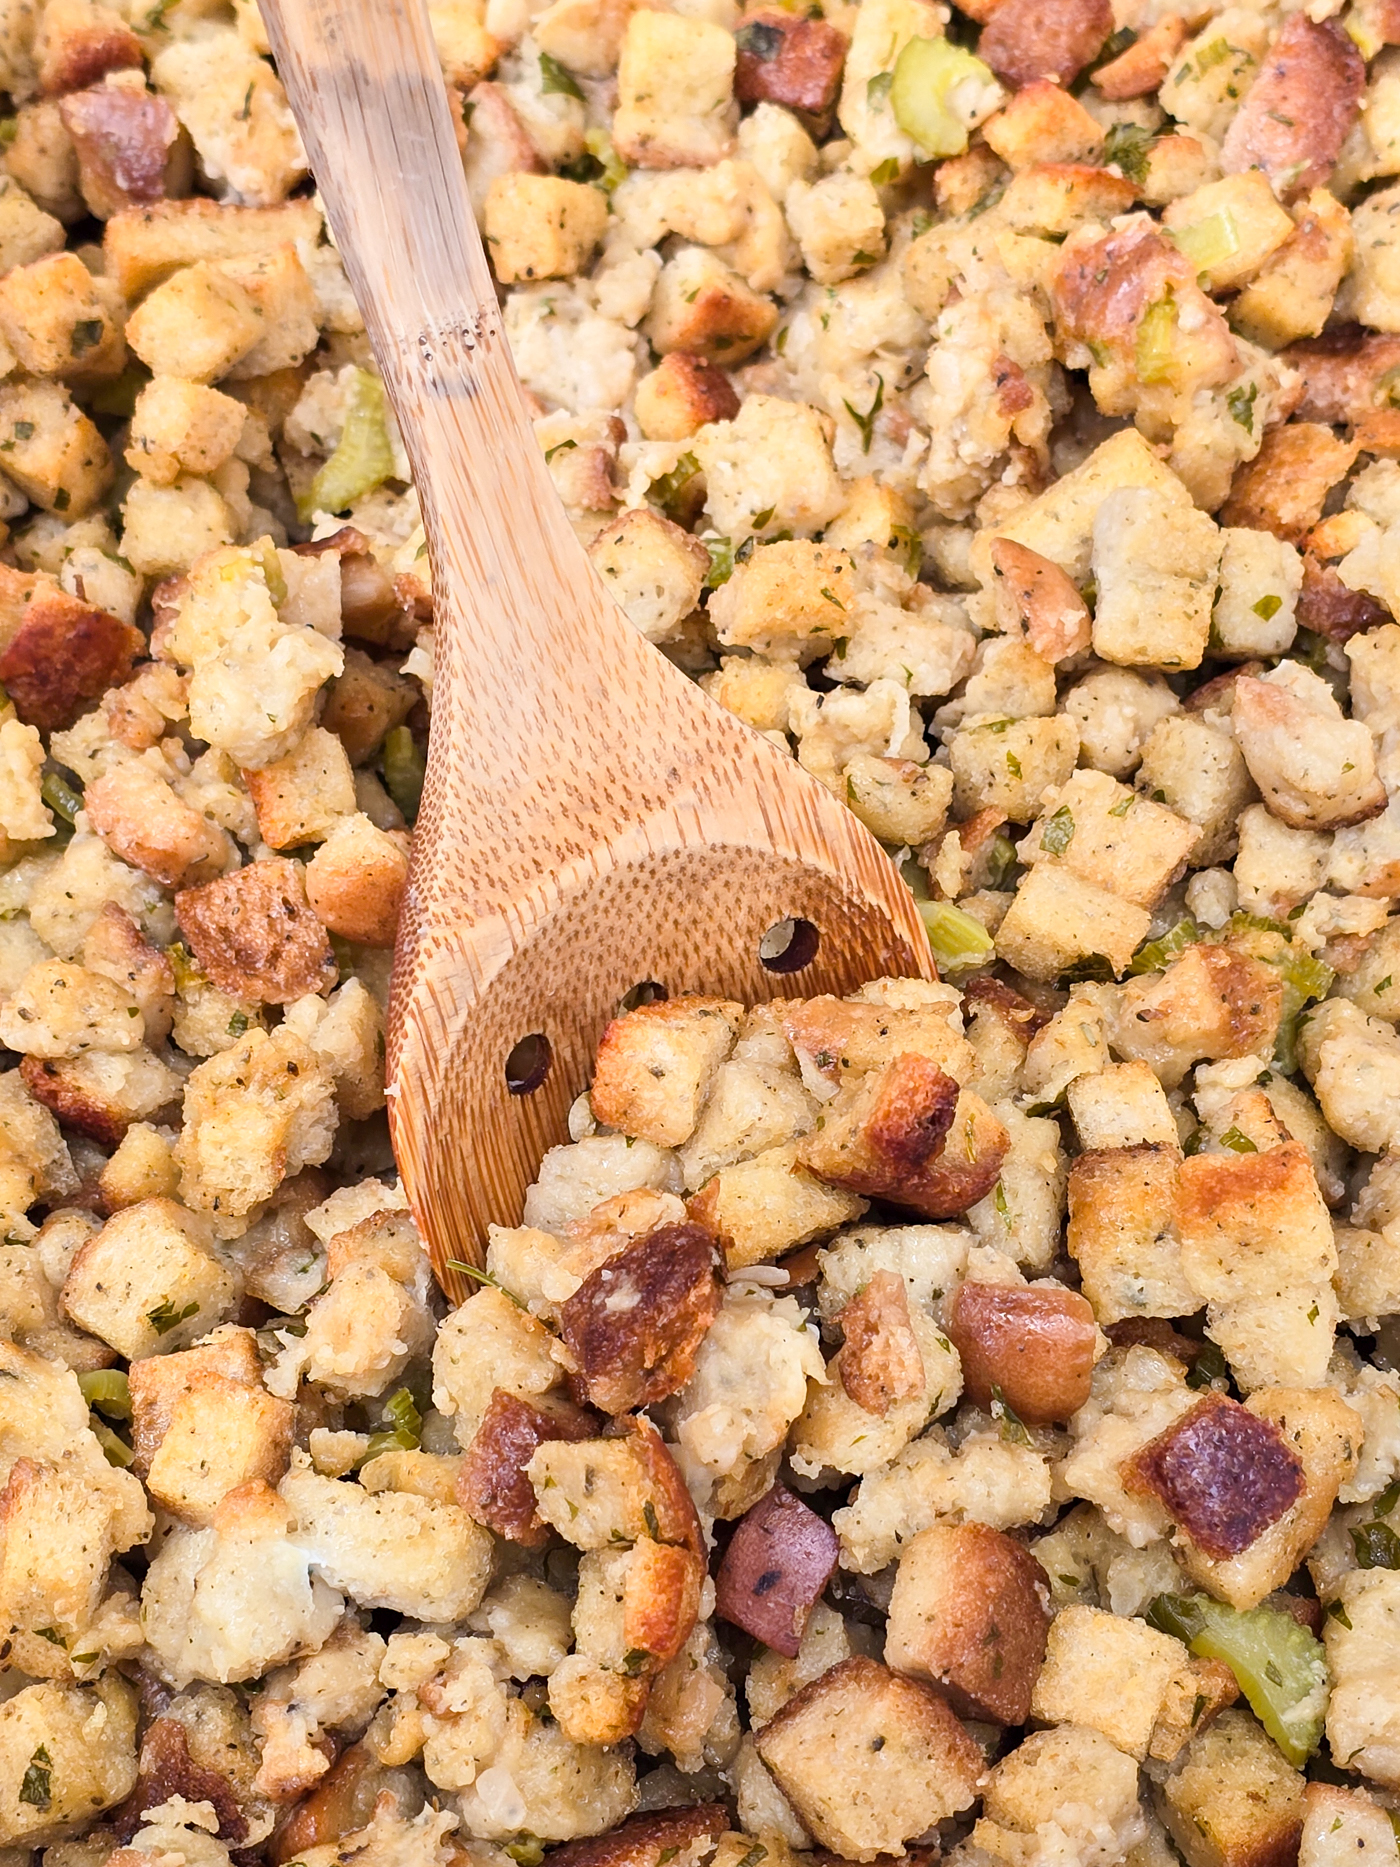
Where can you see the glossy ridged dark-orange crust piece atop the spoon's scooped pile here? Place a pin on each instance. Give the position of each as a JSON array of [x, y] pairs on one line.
[[906, 1134]]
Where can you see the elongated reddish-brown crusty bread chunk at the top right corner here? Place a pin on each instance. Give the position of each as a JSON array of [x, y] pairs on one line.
[[1300, 109]]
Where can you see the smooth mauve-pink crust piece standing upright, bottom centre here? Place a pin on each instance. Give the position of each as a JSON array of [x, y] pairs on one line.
[[774, 1571]]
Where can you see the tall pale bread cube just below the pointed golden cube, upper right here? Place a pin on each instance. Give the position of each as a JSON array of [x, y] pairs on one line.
[[1156, 570]]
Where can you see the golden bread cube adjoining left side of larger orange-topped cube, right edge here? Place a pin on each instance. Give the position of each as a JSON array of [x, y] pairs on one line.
[[1121, 1233]]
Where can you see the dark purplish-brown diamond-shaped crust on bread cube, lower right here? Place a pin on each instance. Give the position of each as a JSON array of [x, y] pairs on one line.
[[1222, 1474]]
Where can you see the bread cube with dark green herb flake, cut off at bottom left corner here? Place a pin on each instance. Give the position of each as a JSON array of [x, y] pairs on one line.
[[83, 1763]]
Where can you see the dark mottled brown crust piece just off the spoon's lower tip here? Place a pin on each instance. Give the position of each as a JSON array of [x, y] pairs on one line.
[[636, 1325]]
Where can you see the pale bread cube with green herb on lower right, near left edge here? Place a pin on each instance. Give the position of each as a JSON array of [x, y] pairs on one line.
[[148, 1284]]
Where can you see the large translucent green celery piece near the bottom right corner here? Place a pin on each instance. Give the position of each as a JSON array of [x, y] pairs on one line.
[[1280, 1666]]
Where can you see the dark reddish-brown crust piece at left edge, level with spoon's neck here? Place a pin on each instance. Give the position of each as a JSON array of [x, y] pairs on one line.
[[64, 656]]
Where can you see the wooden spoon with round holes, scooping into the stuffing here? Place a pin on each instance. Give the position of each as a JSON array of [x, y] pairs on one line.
[[591, 821]]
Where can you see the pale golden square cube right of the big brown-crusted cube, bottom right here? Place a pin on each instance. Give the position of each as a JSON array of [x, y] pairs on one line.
[[1108, 1674]]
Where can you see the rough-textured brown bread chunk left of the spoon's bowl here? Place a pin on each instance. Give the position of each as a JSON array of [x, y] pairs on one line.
[[257, 936]]
